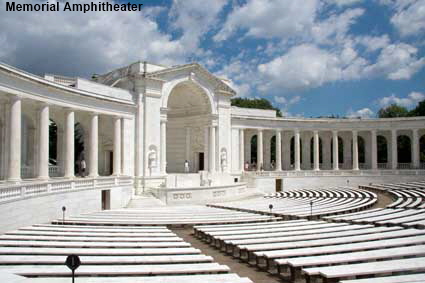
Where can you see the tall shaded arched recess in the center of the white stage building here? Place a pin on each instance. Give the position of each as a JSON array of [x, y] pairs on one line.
[[188, 118]]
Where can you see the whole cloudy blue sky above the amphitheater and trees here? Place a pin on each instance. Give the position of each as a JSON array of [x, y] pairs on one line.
[[310, 58]]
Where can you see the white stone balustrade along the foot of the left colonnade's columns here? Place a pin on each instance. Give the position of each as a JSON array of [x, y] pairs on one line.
[[26, 190]]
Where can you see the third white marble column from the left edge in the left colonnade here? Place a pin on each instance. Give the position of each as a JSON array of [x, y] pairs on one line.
[[69, 144]]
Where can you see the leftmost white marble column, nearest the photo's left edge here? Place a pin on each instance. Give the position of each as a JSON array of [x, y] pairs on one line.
[[14, 166]]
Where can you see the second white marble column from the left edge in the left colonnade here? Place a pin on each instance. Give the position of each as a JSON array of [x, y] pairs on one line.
[[43, 143]]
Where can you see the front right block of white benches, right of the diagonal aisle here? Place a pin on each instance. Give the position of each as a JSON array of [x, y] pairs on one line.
[[330, 252]]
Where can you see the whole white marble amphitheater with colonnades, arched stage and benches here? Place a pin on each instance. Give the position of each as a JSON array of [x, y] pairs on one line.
[[306, 200]]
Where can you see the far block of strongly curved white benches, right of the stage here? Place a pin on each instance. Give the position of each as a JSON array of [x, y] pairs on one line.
[[307, 203]]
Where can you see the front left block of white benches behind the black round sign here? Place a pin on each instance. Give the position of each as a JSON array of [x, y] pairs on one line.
[[149, 254]]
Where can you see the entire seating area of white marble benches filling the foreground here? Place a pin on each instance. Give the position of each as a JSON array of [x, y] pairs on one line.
[[343, 237]]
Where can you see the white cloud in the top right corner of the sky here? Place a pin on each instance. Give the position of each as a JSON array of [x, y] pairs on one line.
[[409, 16]]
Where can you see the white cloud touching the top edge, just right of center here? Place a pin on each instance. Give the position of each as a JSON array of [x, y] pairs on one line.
[[267, 19]]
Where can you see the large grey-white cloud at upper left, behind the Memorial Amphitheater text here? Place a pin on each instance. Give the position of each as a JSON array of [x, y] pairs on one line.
[[77, 43]]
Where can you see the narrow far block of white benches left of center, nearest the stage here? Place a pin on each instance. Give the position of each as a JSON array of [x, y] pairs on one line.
[[164, 215]]
